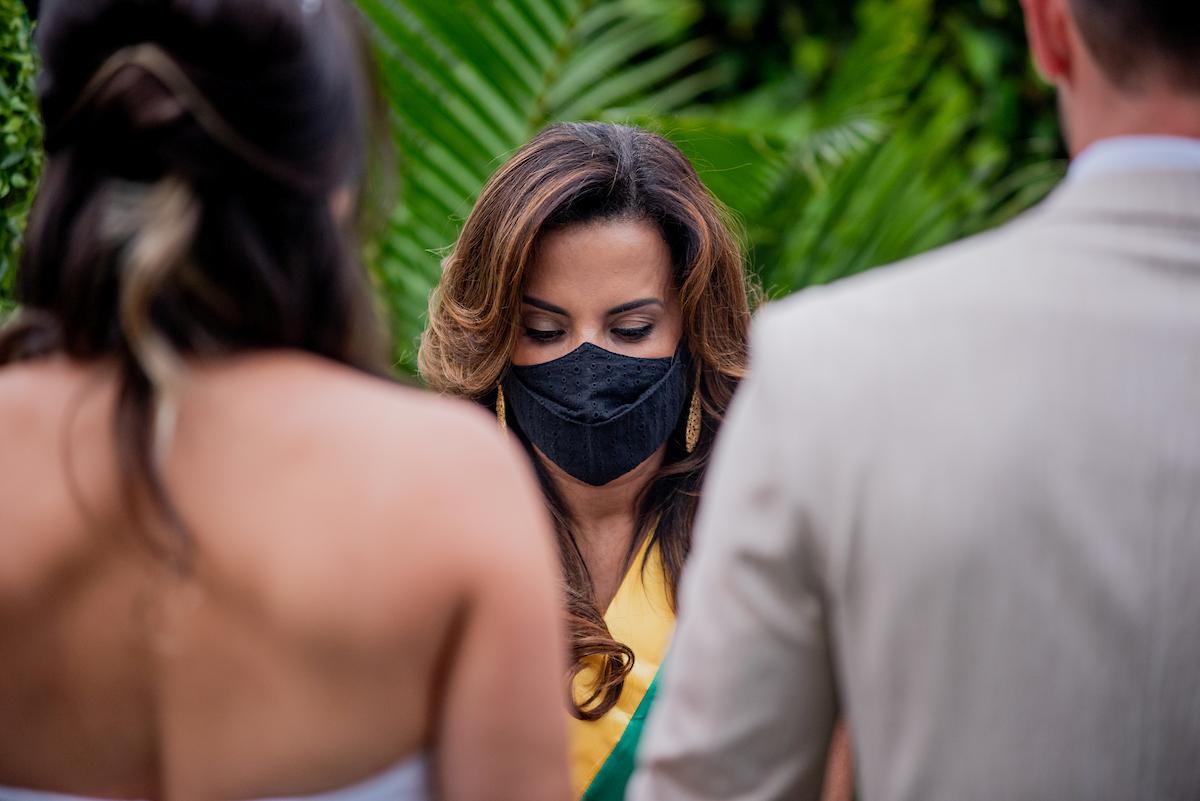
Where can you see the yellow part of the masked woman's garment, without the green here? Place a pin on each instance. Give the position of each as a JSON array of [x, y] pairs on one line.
[[640, 617]]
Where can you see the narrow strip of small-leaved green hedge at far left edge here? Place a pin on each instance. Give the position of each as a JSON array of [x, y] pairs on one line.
[[21, 138]]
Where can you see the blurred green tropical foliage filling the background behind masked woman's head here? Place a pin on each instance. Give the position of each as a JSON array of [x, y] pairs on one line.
[[866, 137]]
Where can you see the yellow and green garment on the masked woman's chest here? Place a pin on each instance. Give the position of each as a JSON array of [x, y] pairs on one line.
[[640, 617]]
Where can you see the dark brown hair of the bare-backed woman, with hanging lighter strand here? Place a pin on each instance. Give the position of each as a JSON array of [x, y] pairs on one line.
[[194, 150]]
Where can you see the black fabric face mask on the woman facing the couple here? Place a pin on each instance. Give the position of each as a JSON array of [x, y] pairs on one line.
[[598, 414]]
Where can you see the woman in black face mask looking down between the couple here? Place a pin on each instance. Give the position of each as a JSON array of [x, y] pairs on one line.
[[597, 300]]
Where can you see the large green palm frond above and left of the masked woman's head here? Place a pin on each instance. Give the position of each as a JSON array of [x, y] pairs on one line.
[[471, 82]]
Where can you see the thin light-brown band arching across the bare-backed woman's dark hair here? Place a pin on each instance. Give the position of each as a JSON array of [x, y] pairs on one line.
[[157, 62]]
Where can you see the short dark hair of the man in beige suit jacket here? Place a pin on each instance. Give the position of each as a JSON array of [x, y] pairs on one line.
[[1137, 41]]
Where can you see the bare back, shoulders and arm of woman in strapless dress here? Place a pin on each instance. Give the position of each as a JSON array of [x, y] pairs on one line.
[[370, 564]]
